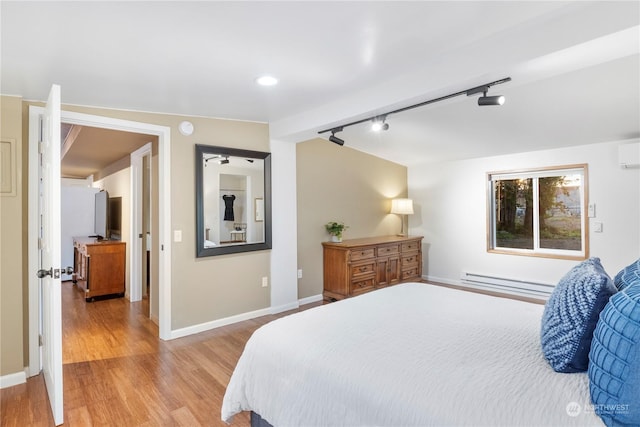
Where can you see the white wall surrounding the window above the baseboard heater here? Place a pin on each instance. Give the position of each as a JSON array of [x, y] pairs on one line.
[[451, 213]]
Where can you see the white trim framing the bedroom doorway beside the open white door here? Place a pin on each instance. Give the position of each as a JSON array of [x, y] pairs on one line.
[[164, 172]]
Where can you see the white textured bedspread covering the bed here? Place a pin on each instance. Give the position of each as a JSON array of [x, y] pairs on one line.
[[413, 354]]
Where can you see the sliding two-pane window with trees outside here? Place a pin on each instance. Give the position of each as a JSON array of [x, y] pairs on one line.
[[539, 212]]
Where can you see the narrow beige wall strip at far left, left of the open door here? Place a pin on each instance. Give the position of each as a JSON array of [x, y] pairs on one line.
[[12, 345]]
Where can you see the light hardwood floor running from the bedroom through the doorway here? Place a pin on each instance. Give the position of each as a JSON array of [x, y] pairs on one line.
[[117, 372]]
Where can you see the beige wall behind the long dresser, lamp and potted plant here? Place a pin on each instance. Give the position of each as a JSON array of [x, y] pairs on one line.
[[341, 184]]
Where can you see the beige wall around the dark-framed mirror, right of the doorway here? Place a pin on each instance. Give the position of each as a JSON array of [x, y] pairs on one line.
[[204, 289]]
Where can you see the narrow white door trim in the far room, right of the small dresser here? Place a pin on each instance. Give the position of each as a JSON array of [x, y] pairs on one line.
[[135, 252]]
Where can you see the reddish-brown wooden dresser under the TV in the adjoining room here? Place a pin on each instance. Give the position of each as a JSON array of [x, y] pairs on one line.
[[99, 266]]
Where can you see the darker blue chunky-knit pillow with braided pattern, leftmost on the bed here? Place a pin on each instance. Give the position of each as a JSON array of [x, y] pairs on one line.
[[571, 315]]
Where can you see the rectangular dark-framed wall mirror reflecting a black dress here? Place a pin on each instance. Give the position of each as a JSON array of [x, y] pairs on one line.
[[232, 200]]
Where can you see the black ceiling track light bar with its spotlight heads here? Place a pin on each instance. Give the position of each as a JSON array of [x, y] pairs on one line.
[[379, 122]]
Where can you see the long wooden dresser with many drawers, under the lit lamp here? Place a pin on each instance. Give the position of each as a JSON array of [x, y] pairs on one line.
[[356, 266]]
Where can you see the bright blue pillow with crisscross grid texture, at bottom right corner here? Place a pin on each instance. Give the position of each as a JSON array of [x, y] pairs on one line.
[[614, 368]]
